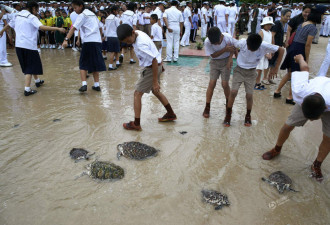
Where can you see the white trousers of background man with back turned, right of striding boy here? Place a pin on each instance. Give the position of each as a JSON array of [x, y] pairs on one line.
[[173, 43]]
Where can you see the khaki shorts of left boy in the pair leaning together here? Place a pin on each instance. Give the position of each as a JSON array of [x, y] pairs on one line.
[[217, 67]]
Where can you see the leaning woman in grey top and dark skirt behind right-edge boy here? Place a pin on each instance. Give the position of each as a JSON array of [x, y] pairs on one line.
[[301, 44]]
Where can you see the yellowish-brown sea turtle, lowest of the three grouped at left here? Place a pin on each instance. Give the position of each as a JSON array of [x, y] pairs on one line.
[[103, 170]]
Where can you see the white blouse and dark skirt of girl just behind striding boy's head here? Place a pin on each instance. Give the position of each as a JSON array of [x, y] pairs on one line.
[[111, 24]]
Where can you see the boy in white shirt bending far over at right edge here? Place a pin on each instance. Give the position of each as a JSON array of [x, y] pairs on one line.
[[313, 103]]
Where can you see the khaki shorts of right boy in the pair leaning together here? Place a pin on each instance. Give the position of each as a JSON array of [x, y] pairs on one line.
[[246, 76]]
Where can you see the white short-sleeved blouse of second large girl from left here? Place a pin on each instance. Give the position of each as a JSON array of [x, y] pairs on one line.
[[88, 24]]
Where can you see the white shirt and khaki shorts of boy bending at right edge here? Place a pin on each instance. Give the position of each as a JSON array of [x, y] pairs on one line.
[[302, 87]]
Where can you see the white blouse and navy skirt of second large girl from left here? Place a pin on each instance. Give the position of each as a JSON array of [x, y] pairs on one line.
[[91, 58]]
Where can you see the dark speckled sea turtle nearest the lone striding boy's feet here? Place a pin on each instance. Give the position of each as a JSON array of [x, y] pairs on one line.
[[136, 150]]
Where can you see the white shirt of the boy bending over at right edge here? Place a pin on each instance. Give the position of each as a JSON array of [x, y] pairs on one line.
[[302, 87]]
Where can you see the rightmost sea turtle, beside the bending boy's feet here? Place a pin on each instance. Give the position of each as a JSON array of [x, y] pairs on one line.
[[280, 180]]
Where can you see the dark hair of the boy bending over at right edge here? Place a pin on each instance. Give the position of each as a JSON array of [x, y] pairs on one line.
[[313, 106]]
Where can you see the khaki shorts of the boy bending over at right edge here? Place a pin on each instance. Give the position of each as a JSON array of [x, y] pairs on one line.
[[297, 119]]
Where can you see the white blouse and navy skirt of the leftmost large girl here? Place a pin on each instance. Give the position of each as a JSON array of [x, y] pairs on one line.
[[26, 27]]
